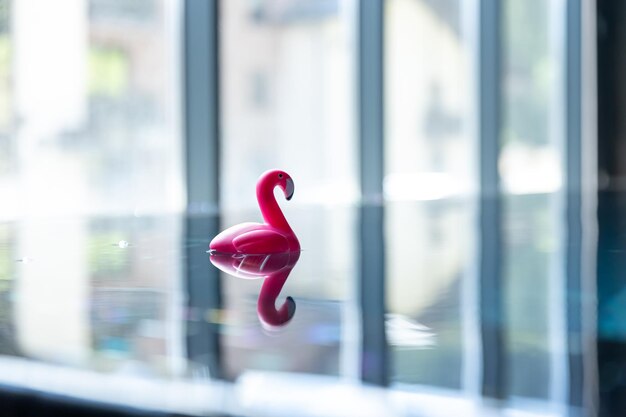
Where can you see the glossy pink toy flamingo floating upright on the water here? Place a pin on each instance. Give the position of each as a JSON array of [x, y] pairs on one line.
[[273, 236]]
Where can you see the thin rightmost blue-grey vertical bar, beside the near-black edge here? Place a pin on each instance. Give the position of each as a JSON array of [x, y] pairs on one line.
[[573, 250]]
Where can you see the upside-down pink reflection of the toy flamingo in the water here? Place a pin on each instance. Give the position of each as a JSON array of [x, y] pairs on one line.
[[275, 268]]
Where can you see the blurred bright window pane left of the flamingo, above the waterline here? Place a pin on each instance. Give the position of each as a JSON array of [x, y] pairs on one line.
[[94, 108]]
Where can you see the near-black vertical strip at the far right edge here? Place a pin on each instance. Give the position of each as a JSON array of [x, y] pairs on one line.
[[611, 262]]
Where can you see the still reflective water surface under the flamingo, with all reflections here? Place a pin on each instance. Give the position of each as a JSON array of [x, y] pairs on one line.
[[386, 309]]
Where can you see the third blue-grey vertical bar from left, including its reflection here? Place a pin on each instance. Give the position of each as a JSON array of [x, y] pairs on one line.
[[491, 302]]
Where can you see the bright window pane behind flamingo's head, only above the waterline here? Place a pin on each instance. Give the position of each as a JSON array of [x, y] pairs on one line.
[[287, 99]]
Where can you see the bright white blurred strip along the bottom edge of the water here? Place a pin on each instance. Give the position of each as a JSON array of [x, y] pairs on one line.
[[262, 394]]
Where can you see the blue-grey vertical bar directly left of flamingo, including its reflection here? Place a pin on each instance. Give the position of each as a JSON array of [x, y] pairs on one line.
[[202, 138]]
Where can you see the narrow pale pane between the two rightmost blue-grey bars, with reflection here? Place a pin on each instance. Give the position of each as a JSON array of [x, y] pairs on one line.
[[531, 170]]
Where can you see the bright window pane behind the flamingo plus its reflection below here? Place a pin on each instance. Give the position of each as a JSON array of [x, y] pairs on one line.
[[287, 96]]
